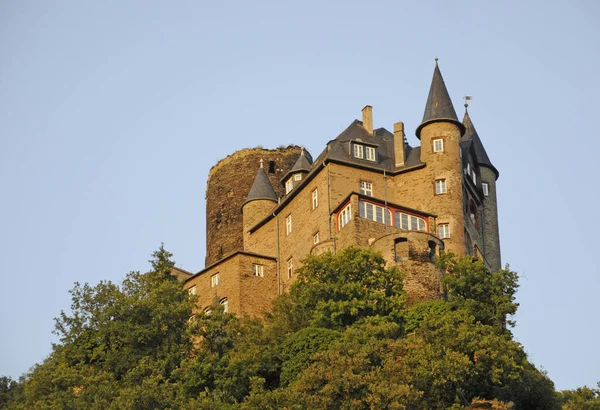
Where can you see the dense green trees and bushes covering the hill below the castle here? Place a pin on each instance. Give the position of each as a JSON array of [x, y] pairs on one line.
[[342, 338]]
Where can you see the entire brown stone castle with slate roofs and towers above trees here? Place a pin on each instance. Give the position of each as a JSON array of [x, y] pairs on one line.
[[266, 210]]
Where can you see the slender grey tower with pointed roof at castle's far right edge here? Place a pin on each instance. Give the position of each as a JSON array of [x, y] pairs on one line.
[[489, 175]]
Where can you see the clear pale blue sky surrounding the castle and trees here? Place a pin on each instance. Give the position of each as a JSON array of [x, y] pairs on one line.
[[113, 112]]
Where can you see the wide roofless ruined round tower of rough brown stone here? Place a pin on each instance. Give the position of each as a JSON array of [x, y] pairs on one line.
[[229, 182]]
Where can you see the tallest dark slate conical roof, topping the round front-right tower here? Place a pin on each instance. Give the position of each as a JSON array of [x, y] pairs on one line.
[[439, 105]]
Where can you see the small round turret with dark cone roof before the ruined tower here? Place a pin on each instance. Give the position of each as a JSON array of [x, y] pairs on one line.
[[260, 201]]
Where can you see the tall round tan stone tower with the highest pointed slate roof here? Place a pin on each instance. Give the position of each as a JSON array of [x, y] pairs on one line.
[[440, 133]]
